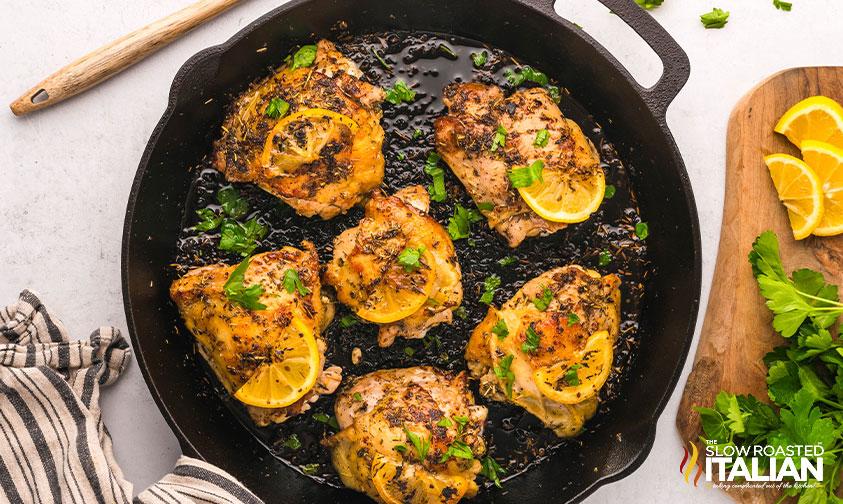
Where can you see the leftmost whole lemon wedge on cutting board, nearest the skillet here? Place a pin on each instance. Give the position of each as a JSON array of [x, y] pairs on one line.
[[799, 190]]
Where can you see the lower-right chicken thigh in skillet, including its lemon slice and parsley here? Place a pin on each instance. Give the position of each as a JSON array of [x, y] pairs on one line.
[[551, 361]]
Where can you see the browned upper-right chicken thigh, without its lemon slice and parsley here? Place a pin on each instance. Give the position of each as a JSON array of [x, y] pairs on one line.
[[465, 136]]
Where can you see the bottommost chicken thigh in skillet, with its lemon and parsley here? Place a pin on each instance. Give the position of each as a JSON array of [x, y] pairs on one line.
[[400, 430]]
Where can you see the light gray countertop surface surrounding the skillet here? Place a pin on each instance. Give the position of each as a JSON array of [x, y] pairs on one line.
[[65, 173]]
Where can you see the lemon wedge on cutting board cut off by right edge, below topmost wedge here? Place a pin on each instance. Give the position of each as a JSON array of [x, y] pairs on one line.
[[827, 162]]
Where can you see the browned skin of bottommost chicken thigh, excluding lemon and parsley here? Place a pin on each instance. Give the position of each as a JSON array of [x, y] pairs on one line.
[[374, 410]]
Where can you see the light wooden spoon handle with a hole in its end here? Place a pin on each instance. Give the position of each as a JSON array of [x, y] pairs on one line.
[[109, 60]]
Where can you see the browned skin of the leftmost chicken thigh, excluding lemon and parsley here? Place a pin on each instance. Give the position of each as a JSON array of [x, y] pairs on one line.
[[235, 341]]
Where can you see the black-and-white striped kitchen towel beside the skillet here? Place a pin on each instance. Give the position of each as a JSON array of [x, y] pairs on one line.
[[54, 446]]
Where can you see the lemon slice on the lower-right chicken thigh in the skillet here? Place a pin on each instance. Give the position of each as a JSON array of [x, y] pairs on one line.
[[595, 363]]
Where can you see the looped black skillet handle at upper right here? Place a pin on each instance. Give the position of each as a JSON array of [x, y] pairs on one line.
[[677, 67]]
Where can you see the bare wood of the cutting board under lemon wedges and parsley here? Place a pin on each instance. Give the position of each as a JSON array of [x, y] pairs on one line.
[[737, 330]]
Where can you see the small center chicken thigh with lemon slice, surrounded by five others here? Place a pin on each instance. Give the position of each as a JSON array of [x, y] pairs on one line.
[[397, 268]]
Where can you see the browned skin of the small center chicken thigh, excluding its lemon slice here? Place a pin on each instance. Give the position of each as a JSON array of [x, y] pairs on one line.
[[363, 254]]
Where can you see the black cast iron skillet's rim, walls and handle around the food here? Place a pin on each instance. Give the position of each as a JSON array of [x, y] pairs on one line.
[[632, 117]]
